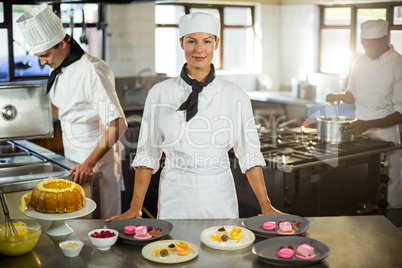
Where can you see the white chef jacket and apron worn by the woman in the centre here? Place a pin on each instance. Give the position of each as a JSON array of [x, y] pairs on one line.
[[196, 181]]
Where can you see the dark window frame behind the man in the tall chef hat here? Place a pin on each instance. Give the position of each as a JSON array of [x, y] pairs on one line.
[[8, 25]]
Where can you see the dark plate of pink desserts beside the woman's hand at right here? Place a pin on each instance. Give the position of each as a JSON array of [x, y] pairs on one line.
[[277, 225]]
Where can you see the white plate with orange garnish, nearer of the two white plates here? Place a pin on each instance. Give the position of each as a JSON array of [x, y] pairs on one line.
[[170, 251]]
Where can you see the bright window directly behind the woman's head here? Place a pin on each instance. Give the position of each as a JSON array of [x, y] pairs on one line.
[[236, 36]]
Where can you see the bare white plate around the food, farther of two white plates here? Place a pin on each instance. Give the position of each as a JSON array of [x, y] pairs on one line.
[[247, 239]]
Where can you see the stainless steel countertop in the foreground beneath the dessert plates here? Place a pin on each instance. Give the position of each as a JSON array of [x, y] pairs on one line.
[[354, 241]]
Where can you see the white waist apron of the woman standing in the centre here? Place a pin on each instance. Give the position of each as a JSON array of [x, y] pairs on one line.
[[202, 191]]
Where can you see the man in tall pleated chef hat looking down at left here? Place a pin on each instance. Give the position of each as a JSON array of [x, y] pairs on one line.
[[82, 90]]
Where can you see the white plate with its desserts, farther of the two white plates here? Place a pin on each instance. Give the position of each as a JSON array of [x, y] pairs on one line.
[[227, 237]]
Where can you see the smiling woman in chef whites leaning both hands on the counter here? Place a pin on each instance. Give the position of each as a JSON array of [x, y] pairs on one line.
[[195, 119]]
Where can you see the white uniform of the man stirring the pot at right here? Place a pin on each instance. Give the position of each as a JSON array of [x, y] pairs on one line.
[[376, 86]]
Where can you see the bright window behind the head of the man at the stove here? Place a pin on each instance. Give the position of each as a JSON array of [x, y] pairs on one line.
[[340, 32]]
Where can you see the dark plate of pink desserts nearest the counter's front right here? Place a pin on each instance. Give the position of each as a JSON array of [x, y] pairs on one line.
[[291, 251]]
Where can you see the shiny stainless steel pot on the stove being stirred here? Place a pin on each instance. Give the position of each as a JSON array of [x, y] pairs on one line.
[[330, 129]]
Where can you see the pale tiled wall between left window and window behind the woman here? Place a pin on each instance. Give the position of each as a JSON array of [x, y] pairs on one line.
[[132, 40]]
